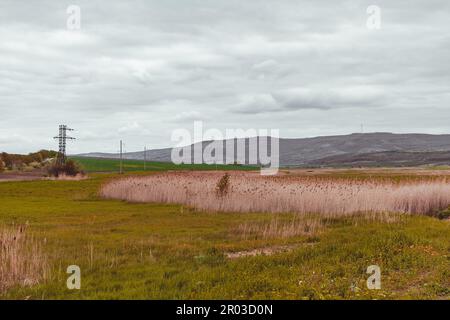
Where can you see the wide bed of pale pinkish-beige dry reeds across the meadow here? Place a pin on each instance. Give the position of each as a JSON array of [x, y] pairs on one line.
[[249, 192]]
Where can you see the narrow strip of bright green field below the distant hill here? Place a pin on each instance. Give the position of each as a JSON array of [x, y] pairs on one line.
[[113, 165]]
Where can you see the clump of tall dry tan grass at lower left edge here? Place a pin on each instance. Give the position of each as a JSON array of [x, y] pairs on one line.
[[22, 261]]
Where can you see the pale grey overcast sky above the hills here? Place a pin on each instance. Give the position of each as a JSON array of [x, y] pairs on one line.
[[137, 70]]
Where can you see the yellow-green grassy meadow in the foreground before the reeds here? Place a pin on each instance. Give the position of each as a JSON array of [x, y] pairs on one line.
[[163, 251]]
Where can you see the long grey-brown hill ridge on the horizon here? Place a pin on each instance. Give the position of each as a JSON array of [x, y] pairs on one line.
[[355, 150]]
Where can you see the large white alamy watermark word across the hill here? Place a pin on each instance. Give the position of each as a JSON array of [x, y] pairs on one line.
[[235, 146]]
